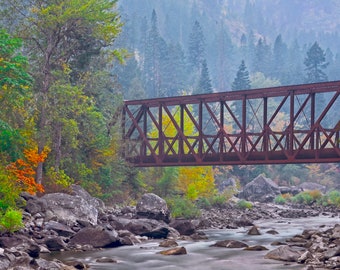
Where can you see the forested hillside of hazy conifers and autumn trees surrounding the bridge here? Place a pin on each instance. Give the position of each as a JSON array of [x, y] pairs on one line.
[[66, 66]]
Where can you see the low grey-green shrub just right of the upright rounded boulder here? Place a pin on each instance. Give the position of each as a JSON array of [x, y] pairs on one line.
[[182, 207]]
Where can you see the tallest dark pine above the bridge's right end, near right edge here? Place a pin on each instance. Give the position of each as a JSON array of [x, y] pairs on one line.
[[315, 63]]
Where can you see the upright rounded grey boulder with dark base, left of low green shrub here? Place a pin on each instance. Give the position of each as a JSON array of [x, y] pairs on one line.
[[154, 207]]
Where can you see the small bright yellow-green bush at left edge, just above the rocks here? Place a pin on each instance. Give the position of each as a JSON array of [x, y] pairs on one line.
[[11, 221]]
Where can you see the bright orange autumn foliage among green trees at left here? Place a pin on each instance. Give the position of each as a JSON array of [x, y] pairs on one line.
[[24, 170]]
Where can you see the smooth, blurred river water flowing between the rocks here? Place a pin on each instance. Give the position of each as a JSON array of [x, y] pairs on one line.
[[200, 255]]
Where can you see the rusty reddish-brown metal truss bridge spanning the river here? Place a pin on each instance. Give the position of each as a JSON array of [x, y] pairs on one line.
[[278, 125]]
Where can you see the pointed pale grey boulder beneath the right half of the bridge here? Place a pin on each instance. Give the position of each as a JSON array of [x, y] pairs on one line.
[[261, 189]]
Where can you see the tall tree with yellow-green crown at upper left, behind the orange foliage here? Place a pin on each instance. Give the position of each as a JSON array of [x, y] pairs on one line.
[[61, 35]]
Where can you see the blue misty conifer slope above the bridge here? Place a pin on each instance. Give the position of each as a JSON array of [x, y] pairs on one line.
[[198, 46]]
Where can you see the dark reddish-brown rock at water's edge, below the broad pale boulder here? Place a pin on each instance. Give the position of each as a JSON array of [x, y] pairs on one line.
[[97, 237]]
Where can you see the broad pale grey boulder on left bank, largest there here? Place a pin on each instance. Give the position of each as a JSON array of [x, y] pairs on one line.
[[69, 209]]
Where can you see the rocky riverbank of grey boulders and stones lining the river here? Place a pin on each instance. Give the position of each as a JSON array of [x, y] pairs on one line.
[[77, 221]]
